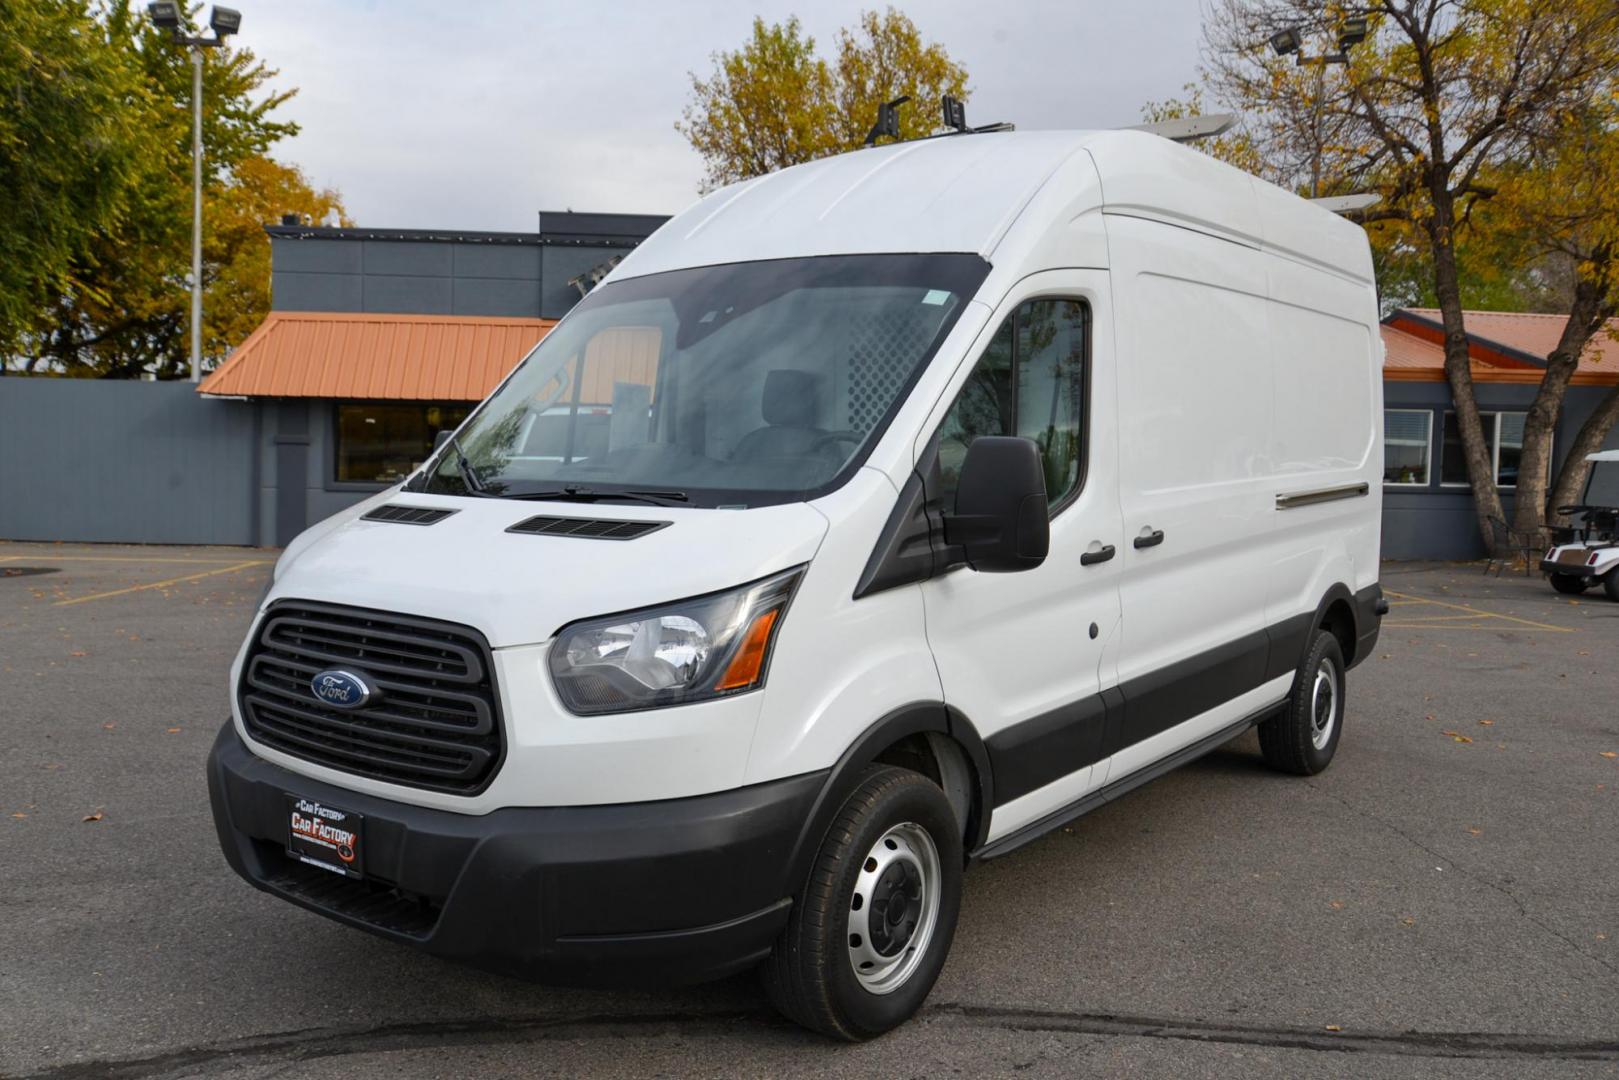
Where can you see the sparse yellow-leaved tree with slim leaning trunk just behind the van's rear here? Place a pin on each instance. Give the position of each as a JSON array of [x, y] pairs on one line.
[[1429, 106]]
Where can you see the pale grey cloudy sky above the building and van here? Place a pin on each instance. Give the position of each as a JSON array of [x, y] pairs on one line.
[[478, 114]]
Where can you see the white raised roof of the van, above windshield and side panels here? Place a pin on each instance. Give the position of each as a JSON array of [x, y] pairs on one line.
[[966, 193]]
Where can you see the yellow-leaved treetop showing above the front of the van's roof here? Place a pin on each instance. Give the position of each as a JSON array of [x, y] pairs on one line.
[[776, 103]]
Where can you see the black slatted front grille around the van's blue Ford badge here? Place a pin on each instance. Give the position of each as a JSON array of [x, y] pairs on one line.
[[435, 723]]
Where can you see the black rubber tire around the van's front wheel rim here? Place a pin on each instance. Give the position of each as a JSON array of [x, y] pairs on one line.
[[810, 976]]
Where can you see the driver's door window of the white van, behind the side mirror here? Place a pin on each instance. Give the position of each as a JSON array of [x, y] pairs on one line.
[[1030, 381]]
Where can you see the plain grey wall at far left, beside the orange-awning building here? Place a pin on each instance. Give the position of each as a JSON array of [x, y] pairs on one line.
[[135, 462]]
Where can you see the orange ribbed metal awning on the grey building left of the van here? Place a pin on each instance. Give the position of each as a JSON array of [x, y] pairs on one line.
[[375, 357]]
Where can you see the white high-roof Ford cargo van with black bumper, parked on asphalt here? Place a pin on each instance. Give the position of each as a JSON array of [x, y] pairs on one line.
[[922, 500]]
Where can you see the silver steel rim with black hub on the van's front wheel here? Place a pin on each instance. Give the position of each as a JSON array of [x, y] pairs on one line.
[[894, 908]]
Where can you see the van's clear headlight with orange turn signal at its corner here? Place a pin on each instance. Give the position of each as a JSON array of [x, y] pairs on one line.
[[687, 652]]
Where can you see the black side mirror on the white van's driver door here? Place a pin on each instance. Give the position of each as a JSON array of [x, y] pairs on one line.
[[1001, 524]]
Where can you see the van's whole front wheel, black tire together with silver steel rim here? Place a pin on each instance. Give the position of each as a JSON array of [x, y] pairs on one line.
[[869, 935]]
